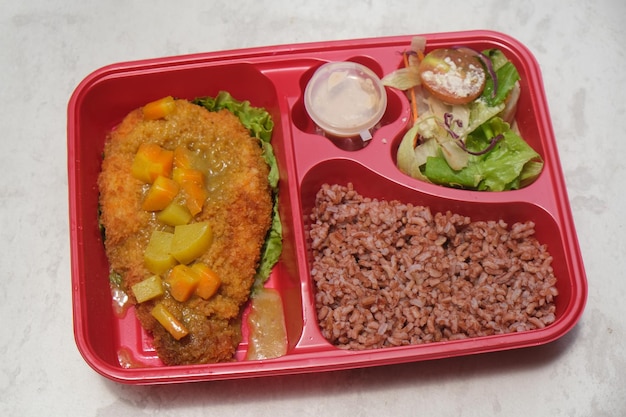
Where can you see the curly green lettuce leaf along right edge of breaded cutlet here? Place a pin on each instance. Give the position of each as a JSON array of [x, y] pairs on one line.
[[260, 124]]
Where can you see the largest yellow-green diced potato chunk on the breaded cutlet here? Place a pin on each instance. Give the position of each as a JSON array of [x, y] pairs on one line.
[[190, 241]]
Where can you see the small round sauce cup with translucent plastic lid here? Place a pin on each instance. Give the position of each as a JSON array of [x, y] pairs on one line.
[[345, 99]]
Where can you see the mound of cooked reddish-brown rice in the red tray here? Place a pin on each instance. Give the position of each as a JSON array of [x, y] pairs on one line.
[[391, 274]]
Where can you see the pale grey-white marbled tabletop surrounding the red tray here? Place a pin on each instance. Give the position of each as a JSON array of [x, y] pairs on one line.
[[48, 47]]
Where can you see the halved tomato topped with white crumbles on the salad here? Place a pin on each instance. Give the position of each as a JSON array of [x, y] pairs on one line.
[[453, 76]]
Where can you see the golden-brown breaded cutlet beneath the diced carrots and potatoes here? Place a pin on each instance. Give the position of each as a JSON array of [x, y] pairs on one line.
[[238, 208]]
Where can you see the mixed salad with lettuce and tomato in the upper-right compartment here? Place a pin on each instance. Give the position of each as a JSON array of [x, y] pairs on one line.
[[464, 134]]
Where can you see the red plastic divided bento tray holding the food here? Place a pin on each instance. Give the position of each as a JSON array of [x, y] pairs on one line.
[[275, 78]]
